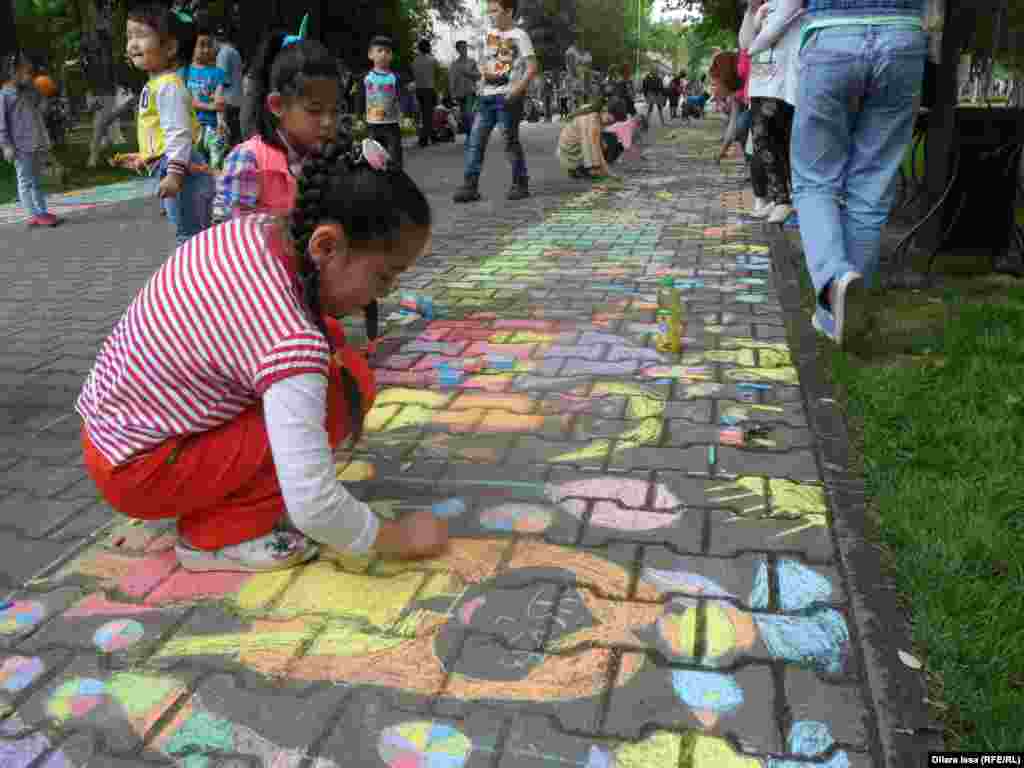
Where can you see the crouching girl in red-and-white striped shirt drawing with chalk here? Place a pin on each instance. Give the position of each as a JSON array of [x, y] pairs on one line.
[[221, 395]]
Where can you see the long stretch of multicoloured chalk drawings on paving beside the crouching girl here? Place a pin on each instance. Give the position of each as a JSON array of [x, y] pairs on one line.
[[576, 584]]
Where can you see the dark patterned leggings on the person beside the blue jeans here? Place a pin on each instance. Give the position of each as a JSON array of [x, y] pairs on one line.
[[772, 129]]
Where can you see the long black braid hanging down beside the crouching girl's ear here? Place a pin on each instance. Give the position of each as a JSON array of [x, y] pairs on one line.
[[308, 215]]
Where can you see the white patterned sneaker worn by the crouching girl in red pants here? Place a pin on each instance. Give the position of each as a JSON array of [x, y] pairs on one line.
[[276, 551]]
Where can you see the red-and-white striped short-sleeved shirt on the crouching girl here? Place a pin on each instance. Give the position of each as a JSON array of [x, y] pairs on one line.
[[220, 323]]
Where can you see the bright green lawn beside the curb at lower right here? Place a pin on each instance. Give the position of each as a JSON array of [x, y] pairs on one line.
[[936, 410]]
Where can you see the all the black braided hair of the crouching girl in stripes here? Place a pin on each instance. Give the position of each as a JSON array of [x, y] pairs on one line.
[[370, 205]]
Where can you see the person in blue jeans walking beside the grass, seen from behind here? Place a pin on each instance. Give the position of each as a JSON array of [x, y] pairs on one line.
[[862, 65]]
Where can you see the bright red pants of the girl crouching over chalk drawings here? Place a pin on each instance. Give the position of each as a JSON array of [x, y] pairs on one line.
[[222, 486]]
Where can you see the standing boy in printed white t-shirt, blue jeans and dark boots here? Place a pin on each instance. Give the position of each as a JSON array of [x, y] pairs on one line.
[[508, 68]]
